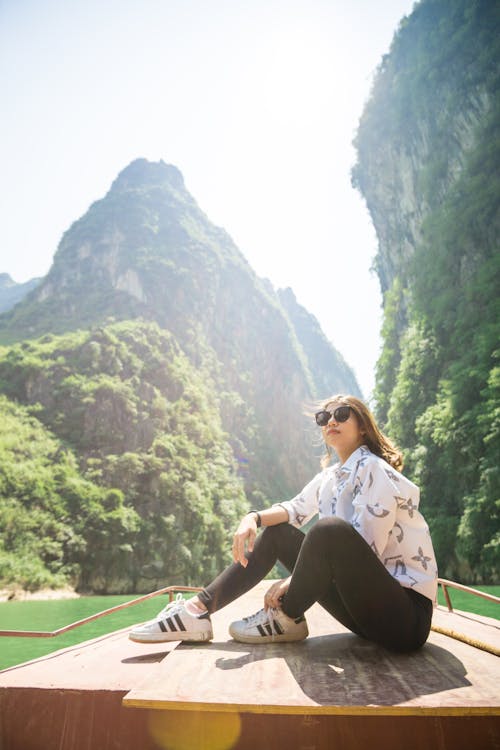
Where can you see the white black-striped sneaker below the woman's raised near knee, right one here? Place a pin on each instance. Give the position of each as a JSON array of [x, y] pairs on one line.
[[270, 626]]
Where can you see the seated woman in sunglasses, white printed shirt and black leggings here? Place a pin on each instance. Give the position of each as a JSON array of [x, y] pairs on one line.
[[368, 560]]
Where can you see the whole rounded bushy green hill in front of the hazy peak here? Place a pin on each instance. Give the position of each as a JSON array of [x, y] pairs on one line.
[[139, 486]]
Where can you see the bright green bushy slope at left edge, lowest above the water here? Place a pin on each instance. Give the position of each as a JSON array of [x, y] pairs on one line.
[[51, 517]]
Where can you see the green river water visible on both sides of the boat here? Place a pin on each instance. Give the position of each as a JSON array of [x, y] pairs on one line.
[[50, 615]]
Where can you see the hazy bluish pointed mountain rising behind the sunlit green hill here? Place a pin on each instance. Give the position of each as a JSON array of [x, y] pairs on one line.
[[147, 251]]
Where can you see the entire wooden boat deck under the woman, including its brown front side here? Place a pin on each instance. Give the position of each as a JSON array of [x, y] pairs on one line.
[[331, 690]]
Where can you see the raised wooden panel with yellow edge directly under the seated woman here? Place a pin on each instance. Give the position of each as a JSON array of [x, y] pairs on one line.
[[331, 672]]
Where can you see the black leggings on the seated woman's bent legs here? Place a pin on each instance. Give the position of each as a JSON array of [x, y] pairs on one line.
[[333, 565]]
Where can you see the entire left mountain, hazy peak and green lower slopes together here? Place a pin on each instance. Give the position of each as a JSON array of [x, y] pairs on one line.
[[169, 375]]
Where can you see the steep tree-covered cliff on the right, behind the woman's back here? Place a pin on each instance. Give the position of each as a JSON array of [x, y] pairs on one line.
[[428, 168]]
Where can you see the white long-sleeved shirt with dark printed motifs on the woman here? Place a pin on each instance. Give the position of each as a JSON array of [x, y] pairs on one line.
[[382, 505]]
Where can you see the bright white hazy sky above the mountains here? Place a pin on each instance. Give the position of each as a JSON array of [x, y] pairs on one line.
[[256, 102]]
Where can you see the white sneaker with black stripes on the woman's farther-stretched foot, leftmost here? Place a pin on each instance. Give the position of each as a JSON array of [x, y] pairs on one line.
[[174, 623]]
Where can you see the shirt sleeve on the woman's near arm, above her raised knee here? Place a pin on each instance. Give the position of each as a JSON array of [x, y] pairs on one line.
[[375, 506]]
